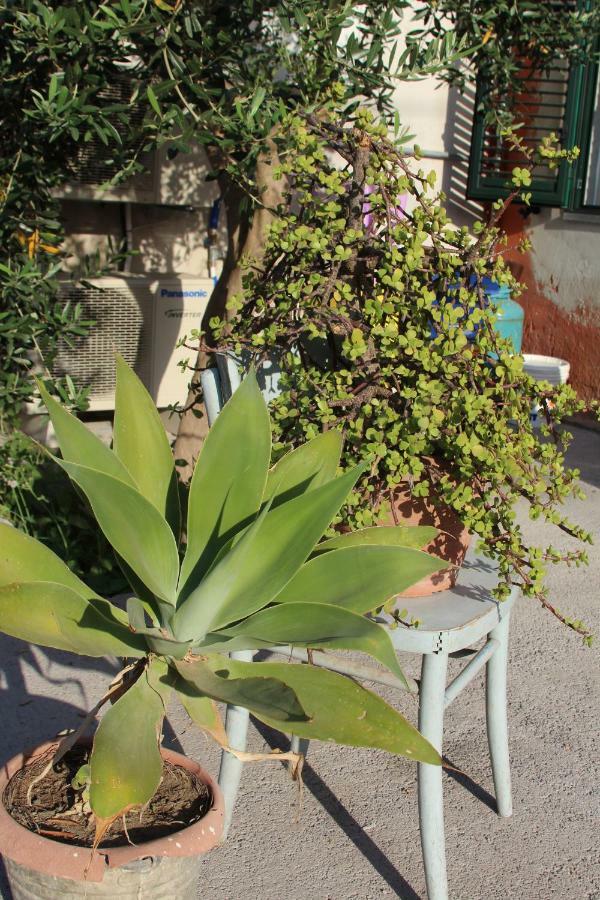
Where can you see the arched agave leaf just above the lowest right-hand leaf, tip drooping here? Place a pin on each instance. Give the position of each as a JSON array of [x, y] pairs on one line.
[[317, 625]]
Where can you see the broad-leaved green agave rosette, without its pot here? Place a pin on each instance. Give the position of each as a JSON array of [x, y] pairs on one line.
[[249, 574]]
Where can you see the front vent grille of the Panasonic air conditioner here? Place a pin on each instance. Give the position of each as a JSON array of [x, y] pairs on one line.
[[122, 324]]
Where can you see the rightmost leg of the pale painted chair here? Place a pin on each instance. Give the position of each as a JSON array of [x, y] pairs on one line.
[[496, 716]]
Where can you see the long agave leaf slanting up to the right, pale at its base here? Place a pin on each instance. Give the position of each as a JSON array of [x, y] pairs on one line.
[[264, 560]]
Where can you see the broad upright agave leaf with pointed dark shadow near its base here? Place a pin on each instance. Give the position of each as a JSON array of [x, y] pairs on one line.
[[228, 481]]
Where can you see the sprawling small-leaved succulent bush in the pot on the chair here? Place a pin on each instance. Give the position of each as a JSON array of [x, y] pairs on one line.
[[372, 303]]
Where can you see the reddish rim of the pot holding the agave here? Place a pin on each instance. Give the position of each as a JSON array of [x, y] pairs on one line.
[[80, 863]]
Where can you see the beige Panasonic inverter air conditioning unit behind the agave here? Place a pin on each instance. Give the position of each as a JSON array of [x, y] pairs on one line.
[[142, 318]]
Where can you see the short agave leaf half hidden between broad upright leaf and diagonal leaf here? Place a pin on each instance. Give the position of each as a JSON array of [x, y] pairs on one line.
[[305, 468]]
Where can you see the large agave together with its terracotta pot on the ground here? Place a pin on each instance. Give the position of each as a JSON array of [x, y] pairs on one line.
[[249, 574]]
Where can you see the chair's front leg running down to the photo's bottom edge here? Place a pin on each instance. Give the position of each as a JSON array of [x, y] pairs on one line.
[[431, 801]]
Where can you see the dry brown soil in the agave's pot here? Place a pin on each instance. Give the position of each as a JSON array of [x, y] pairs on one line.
[[55, 810]]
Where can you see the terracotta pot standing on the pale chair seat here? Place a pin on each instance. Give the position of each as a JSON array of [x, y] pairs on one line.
[[451, 544]]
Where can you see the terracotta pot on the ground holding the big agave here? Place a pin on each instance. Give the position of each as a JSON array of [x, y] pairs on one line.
[[166, 868]]
